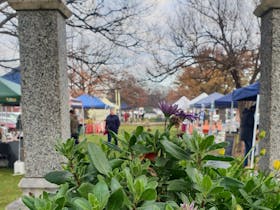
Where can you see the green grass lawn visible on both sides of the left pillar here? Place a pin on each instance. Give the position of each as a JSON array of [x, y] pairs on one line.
[[9, 190]]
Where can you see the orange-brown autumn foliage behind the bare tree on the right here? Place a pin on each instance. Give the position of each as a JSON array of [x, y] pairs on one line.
[[206, 76]]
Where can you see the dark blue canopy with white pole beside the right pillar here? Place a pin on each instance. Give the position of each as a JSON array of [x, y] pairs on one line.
[[250, 93]]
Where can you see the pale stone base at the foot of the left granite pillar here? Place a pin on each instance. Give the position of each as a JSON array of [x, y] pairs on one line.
[[31, 186]]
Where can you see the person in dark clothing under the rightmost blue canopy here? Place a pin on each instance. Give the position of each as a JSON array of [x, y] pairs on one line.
[[247, 129]]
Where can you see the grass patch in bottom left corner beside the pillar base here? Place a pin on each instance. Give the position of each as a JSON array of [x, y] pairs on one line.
[[9, 190]]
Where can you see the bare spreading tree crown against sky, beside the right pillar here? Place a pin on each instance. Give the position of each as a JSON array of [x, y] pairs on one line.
[[228, 28]]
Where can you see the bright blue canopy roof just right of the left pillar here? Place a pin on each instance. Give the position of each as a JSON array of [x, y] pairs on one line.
[[91, 102]]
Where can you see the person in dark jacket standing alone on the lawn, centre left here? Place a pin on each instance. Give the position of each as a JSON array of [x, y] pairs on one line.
[[112, 124]]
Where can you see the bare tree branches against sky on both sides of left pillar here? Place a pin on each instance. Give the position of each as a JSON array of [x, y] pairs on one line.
[[100, 33]]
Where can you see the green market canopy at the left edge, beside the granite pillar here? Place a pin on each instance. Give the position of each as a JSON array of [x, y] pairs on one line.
[[10, 92]]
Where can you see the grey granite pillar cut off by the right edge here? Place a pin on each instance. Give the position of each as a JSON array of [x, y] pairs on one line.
[[269, 11]]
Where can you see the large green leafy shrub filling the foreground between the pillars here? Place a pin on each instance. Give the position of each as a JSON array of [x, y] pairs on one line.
[[156, 171]]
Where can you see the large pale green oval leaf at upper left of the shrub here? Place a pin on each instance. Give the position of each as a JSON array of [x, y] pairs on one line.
[[98, 159]]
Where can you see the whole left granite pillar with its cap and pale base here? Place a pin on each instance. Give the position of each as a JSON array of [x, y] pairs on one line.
[[45, 97]]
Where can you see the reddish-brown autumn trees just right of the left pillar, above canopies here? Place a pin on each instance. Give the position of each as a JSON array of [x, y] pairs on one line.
[[106, 84]]
